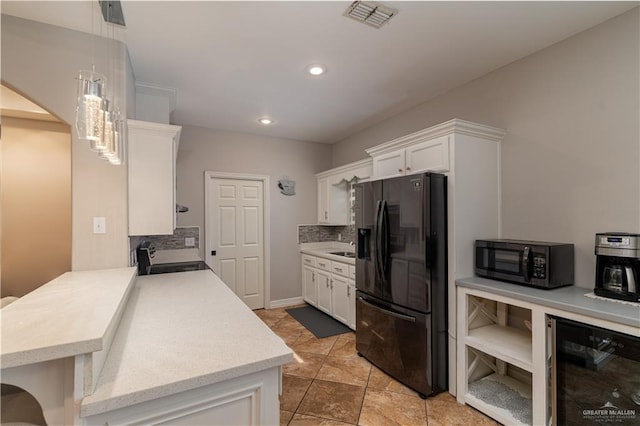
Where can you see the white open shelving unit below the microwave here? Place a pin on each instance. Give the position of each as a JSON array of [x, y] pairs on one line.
[[501, 344]]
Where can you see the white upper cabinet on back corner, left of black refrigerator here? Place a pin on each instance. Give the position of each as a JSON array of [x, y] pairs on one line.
[[334, 190]]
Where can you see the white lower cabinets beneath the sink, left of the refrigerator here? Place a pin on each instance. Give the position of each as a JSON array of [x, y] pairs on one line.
[[330, 286]]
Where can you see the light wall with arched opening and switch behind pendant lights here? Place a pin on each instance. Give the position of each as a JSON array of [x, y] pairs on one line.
[[41, 62]]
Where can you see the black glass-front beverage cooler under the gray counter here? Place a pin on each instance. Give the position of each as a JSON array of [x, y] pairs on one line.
[[595, 375]]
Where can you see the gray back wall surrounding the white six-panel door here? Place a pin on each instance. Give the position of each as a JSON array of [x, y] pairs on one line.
[[204, 149]]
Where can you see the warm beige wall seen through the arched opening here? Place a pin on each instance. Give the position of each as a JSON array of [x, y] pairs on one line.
[[36, 181]]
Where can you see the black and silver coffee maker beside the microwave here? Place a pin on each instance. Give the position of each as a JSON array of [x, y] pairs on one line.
[[618, 266]]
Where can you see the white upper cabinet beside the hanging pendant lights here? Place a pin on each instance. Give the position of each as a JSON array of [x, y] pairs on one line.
[[152, 153]]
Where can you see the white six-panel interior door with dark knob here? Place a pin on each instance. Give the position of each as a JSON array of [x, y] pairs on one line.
[[235, 235]]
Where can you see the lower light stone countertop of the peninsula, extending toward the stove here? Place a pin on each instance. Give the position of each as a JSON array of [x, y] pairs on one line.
[[181, 331]]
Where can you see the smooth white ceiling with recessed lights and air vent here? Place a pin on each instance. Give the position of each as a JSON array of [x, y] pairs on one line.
[[234, 62]]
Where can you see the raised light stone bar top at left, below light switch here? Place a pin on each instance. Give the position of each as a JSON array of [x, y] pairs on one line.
[[68, 316]]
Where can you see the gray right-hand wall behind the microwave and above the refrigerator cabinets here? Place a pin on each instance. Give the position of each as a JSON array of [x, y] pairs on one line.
[[570, 158]]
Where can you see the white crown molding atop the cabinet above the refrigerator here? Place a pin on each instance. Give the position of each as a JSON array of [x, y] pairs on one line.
[[452, 126]]
